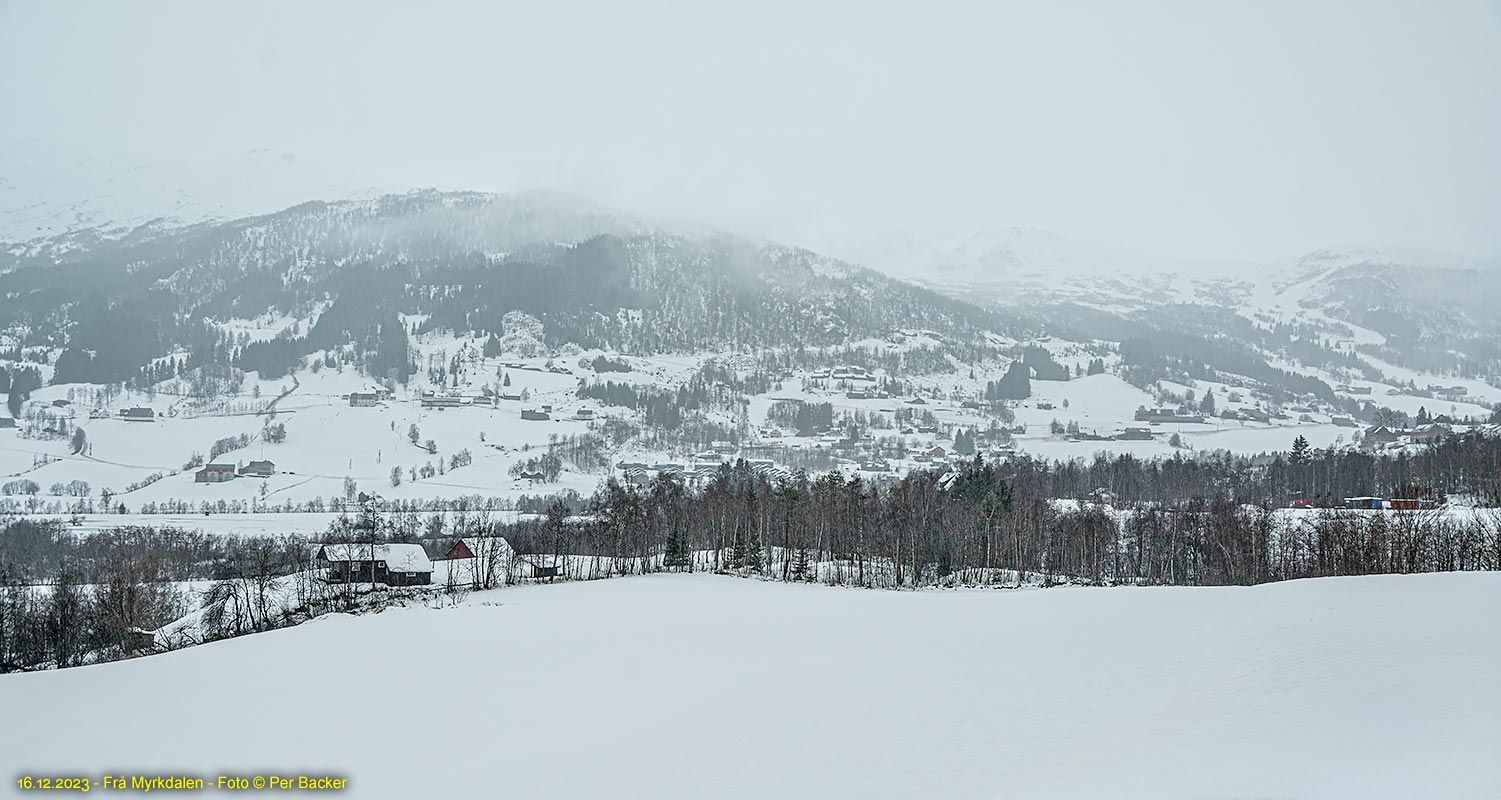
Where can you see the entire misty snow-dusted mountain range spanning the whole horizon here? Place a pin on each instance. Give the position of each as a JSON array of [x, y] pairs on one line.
[[469, 257]]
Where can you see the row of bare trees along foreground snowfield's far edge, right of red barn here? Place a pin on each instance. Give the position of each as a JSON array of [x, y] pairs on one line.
[[987, 526]]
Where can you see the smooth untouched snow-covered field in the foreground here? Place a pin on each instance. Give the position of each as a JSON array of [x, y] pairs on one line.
[[709, 687]]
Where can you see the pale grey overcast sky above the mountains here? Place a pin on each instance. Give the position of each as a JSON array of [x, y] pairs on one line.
[[1194, 130]]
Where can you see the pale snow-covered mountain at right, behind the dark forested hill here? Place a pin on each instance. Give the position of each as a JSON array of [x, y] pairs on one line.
[[1410, 301]]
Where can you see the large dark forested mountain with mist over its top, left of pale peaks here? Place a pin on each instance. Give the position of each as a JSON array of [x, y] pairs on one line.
[[371, 272]]
